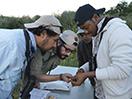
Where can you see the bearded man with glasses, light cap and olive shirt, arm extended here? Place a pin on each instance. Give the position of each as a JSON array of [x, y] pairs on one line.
[[42, 63]]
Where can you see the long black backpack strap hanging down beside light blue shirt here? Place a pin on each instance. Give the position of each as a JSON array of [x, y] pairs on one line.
[[30, 78]]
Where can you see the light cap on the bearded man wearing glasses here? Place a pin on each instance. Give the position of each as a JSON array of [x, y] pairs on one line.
[[70, 38]]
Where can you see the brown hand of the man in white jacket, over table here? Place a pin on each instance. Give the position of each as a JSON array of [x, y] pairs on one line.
[[78, 79]]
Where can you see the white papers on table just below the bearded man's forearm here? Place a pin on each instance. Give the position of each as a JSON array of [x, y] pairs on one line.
[[56, 85]]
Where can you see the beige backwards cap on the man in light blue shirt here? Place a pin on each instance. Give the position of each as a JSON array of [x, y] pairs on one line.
[[47, 21]]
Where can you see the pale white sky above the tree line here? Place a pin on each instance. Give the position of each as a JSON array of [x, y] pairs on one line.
[[31, 8]]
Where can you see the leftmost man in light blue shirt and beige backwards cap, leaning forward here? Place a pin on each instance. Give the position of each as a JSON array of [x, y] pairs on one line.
[[18, 45]]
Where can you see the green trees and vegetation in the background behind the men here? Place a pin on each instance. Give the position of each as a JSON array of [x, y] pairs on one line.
[[122, 10]]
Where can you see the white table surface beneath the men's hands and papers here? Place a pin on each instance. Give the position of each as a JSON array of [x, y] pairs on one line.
[[85, 91]]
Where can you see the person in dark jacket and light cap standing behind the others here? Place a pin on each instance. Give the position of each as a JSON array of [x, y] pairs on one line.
[[85, 45]]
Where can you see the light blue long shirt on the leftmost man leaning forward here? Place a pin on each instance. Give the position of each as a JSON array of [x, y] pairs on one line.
[[12, 58]]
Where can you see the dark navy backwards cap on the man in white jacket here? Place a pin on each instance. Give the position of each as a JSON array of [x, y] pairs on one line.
[[85, 13]]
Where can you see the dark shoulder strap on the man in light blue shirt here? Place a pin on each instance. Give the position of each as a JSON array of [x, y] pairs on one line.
[[25, 90]]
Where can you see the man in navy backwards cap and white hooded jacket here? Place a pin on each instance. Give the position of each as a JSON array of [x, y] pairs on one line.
[[112, 54]]
